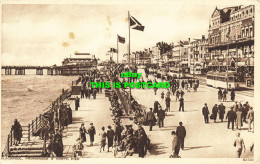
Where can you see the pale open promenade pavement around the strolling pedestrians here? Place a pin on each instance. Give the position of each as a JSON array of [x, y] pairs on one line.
[[211, 140]]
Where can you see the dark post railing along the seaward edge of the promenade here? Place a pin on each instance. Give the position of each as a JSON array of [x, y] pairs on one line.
[[35, 125]]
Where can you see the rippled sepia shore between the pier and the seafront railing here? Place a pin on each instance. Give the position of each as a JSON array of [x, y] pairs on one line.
[[25, 97]]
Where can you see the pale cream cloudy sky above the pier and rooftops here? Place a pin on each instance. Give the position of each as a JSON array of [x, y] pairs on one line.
[[45, 34]]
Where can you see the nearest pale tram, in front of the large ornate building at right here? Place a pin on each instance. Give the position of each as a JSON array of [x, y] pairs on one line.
[[220, 80]]
